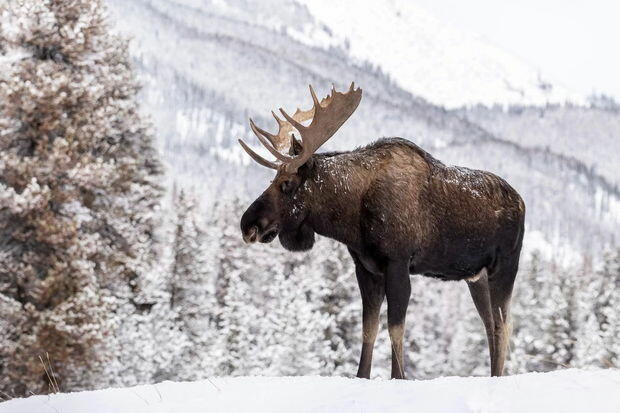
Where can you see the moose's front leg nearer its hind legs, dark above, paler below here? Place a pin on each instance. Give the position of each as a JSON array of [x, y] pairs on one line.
[[397, 291]]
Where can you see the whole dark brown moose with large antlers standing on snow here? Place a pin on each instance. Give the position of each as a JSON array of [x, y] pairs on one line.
[[399, 211]]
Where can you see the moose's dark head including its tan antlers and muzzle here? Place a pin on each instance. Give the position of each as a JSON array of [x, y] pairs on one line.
[[284, 206]]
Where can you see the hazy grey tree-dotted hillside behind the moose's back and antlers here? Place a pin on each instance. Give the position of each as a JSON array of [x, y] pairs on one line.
[[207, 68]]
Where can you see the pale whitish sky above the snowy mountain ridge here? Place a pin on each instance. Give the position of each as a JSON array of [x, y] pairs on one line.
[[572, 42]]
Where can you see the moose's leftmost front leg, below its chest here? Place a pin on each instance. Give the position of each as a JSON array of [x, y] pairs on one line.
[[372, 290]]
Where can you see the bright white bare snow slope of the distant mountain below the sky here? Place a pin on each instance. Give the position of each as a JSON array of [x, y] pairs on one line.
[[440, 63]]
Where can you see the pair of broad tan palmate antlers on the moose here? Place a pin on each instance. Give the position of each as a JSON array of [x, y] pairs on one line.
[[327, 117]]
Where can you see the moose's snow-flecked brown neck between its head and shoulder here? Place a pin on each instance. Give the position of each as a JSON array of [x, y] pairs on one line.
[[334, 191]]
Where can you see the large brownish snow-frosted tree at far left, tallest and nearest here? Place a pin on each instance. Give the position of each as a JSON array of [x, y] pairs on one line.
[[78, 193]]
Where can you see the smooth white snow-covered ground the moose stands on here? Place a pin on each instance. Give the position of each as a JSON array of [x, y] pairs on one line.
[[561, 391]]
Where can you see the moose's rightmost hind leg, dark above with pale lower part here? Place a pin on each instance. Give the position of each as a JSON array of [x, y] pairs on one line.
[[501, 282]]
